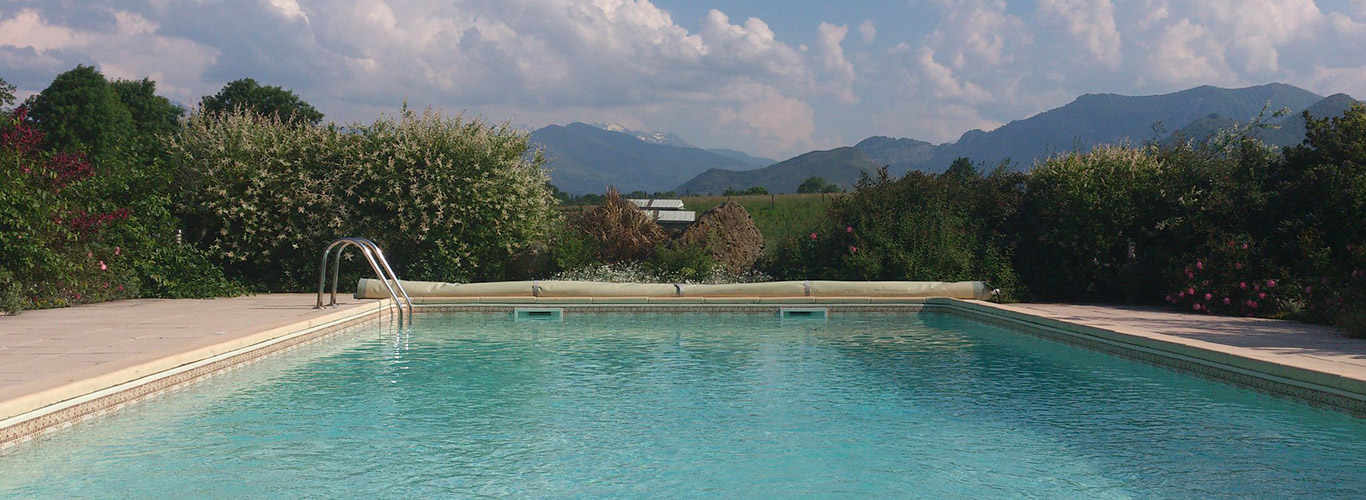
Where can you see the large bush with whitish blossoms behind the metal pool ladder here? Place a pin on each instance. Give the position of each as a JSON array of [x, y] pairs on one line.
[[449, 199]]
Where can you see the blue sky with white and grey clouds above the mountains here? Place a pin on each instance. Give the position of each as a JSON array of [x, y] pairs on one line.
[[772, 79]]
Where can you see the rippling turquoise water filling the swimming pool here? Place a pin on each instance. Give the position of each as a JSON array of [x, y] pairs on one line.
[[615, 406]]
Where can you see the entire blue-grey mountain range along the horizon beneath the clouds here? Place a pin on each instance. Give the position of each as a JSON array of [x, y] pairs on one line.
[[587, 159]]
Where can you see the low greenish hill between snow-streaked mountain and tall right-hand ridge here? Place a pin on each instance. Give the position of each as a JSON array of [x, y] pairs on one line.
[[841, 166]]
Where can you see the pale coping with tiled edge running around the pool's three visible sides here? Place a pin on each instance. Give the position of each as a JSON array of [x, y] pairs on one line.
[[46, 412]]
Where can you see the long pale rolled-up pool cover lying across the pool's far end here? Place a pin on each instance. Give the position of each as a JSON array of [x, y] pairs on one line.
[[372, 289]]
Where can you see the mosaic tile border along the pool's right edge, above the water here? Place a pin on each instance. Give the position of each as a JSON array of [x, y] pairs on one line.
[[1275, 386]]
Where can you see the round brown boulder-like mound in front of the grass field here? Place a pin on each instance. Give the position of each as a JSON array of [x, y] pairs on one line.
[[729, 233]]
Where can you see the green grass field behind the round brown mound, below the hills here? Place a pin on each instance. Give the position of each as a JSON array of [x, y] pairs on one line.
[[778, 217]]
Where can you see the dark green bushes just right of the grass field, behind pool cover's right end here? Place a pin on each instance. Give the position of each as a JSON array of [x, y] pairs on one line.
[[920, 227]]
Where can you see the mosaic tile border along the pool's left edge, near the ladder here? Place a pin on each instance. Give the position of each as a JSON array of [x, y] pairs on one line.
[[66, 415]]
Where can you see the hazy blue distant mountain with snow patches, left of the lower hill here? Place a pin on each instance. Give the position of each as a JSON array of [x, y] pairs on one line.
[[587, 159]]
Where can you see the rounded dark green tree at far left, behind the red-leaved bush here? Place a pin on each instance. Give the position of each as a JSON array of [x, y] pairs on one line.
[[80, 111]]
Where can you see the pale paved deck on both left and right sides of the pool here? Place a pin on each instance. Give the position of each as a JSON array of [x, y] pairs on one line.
[[57, 357]]
